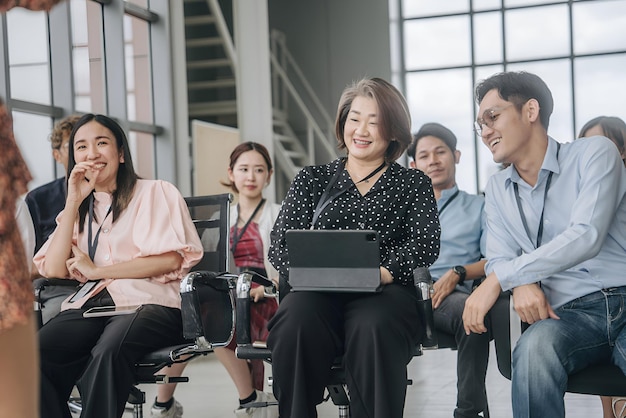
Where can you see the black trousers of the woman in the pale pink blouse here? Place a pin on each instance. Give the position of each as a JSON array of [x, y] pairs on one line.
[[98, 355]]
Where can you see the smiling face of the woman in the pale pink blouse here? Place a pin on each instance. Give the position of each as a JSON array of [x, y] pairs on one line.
[[96, 144]]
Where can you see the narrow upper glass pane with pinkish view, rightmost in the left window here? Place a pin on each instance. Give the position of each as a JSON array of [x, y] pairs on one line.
[[138, 75]]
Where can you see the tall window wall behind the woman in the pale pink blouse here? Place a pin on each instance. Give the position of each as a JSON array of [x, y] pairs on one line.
[[91, 56]]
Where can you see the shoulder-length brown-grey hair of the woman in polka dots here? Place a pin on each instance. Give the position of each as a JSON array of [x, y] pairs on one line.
[[394, 120]]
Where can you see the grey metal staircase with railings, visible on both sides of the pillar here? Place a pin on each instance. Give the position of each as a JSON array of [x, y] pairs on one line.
[[303, 131]]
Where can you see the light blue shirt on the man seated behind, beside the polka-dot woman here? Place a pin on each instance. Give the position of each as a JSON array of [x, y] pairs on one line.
[[463, 232]]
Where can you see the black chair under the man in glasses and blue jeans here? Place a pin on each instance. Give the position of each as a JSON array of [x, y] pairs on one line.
[[601, 379]]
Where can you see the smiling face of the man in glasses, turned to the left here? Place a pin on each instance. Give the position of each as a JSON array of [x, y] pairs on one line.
[[511, 129]]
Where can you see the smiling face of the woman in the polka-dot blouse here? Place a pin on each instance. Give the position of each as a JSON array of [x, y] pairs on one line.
[[361, 133]]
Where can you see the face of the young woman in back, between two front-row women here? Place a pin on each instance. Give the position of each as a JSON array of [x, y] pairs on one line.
[[250, 174]]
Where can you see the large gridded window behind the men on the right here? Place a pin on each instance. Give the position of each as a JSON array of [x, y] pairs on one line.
[[577, 47]]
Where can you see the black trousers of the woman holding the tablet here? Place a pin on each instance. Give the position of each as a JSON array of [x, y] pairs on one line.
[[376, 333]]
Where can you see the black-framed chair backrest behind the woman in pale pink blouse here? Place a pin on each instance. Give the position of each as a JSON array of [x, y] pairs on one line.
[[211, 216]]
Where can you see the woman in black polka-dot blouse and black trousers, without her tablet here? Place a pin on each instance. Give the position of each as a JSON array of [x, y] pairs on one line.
[[377, 332]]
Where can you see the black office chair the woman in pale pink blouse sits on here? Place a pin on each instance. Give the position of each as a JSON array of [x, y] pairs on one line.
[[207, 303]]
